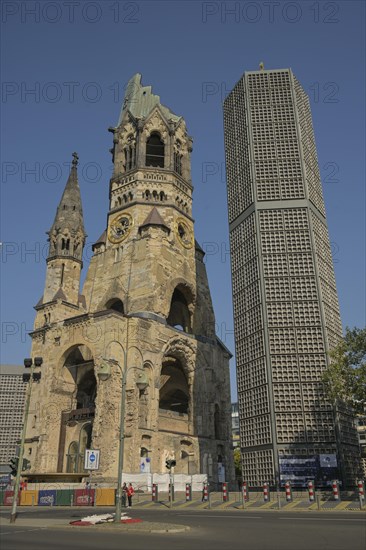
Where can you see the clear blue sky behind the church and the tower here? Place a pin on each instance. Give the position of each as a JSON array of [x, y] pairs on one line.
[[77, 58]]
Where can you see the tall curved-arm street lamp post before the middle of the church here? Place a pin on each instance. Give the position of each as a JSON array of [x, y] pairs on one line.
[[141, 383]]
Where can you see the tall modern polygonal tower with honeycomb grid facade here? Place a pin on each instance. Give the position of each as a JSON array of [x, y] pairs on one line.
[[286, 312]]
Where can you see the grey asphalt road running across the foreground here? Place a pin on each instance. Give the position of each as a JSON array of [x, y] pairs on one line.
[[212, 530]]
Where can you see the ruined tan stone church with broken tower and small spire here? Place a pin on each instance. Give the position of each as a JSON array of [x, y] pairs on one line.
[[145, 307]]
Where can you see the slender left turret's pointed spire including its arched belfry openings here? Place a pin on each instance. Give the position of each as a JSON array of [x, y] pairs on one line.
[[67, 234]]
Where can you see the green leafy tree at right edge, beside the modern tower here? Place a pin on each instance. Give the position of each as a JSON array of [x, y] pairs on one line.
[[345, 378]]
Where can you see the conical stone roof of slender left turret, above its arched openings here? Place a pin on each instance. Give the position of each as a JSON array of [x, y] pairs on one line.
[[69, 211]]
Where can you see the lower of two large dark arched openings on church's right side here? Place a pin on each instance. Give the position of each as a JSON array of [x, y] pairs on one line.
[[174, 389]]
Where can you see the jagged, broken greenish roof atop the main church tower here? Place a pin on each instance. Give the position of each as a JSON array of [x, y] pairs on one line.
[[140, 101]]
